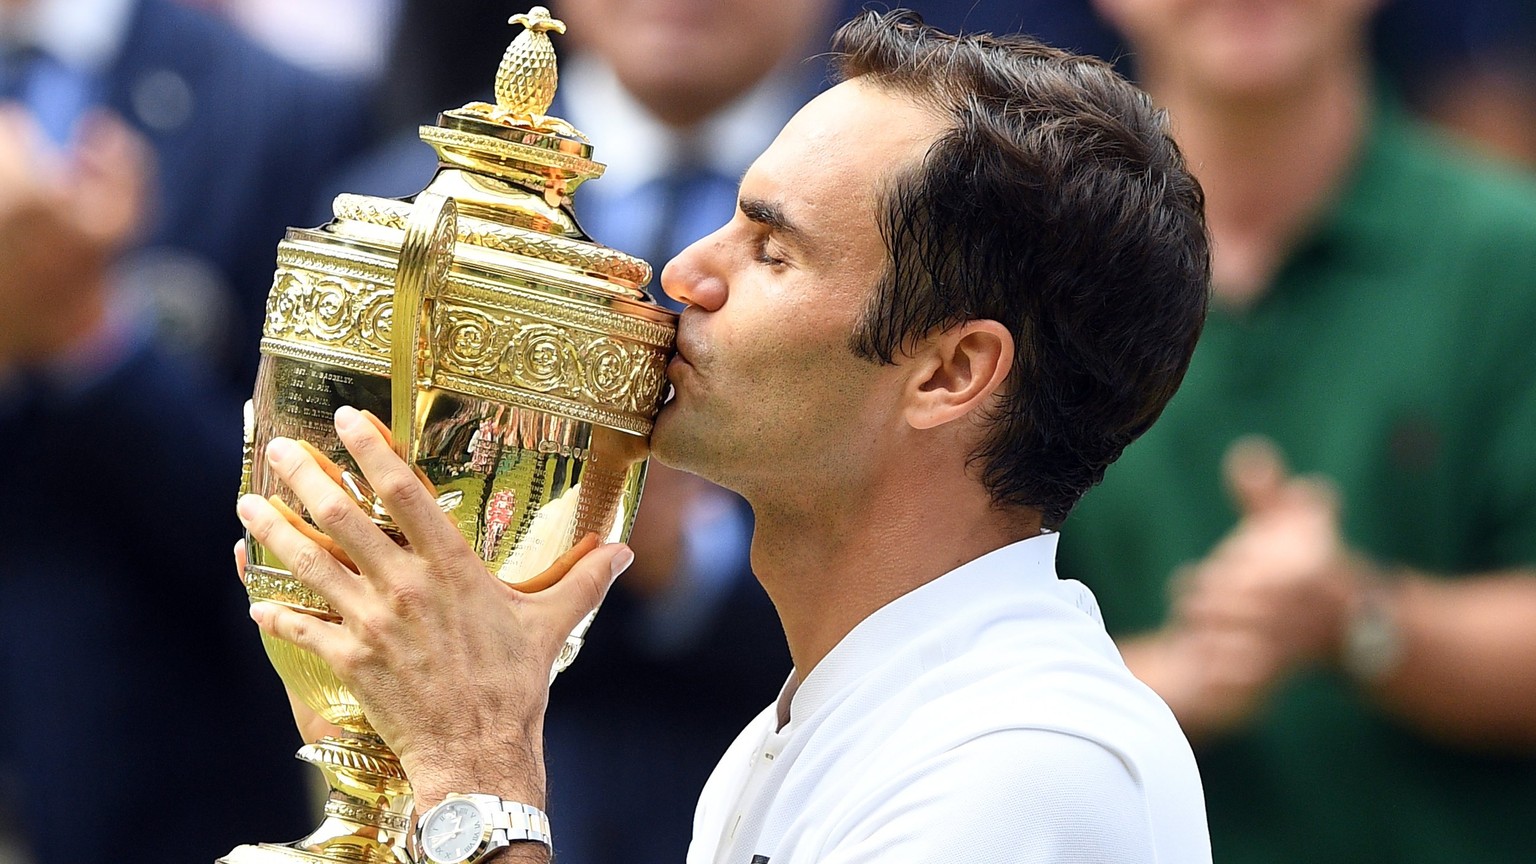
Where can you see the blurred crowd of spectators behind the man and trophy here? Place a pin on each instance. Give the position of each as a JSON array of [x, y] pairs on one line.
[[1351, 457]]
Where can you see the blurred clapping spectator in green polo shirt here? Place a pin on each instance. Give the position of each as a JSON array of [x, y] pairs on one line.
[[1342, 613]]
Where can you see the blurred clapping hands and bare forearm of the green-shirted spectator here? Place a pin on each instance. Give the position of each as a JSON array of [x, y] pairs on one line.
[[1280, 593]]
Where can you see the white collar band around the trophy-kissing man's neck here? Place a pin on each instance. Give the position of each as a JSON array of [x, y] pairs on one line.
[[1027, 567]]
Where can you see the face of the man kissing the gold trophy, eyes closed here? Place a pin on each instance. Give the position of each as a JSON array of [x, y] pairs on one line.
[[769, 394]]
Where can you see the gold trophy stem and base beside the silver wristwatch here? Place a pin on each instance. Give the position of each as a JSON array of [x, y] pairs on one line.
[[368, 811]]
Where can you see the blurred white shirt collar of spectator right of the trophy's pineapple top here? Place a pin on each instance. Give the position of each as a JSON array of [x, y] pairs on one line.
[[638, 148]]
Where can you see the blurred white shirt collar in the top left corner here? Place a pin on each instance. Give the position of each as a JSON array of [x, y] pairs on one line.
[[82, 35]]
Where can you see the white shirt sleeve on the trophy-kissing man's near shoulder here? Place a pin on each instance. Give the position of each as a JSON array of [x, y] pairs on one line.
[[1024, 797]]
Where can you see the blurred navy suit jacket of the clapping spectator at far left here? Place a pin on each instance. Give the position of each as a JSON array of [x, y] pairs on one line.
[[136, 705]]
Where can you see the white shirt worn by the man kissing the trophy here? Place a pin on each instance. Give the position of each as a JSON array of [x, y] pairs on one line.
[[982, 719]]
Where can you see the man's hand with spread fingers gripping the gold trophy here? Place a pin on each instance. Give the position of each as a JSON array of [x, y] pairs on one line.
[[451, 665]]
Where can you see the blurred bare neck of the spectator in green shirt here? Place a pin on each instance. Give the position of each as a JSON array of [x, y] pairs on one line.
[[1268, 164]]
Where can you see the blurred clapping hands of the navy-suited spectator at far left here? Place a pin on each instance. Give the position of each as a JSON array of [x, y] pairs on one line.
[[64, 218]]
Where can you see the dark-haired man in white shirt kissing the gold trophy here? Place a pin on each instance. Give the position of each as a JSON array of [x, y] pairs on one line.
[[955, 288]]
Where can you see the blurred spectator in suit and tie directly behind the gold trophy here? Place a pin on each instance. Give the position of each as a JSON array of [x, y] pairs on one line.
[[678, 99]]
